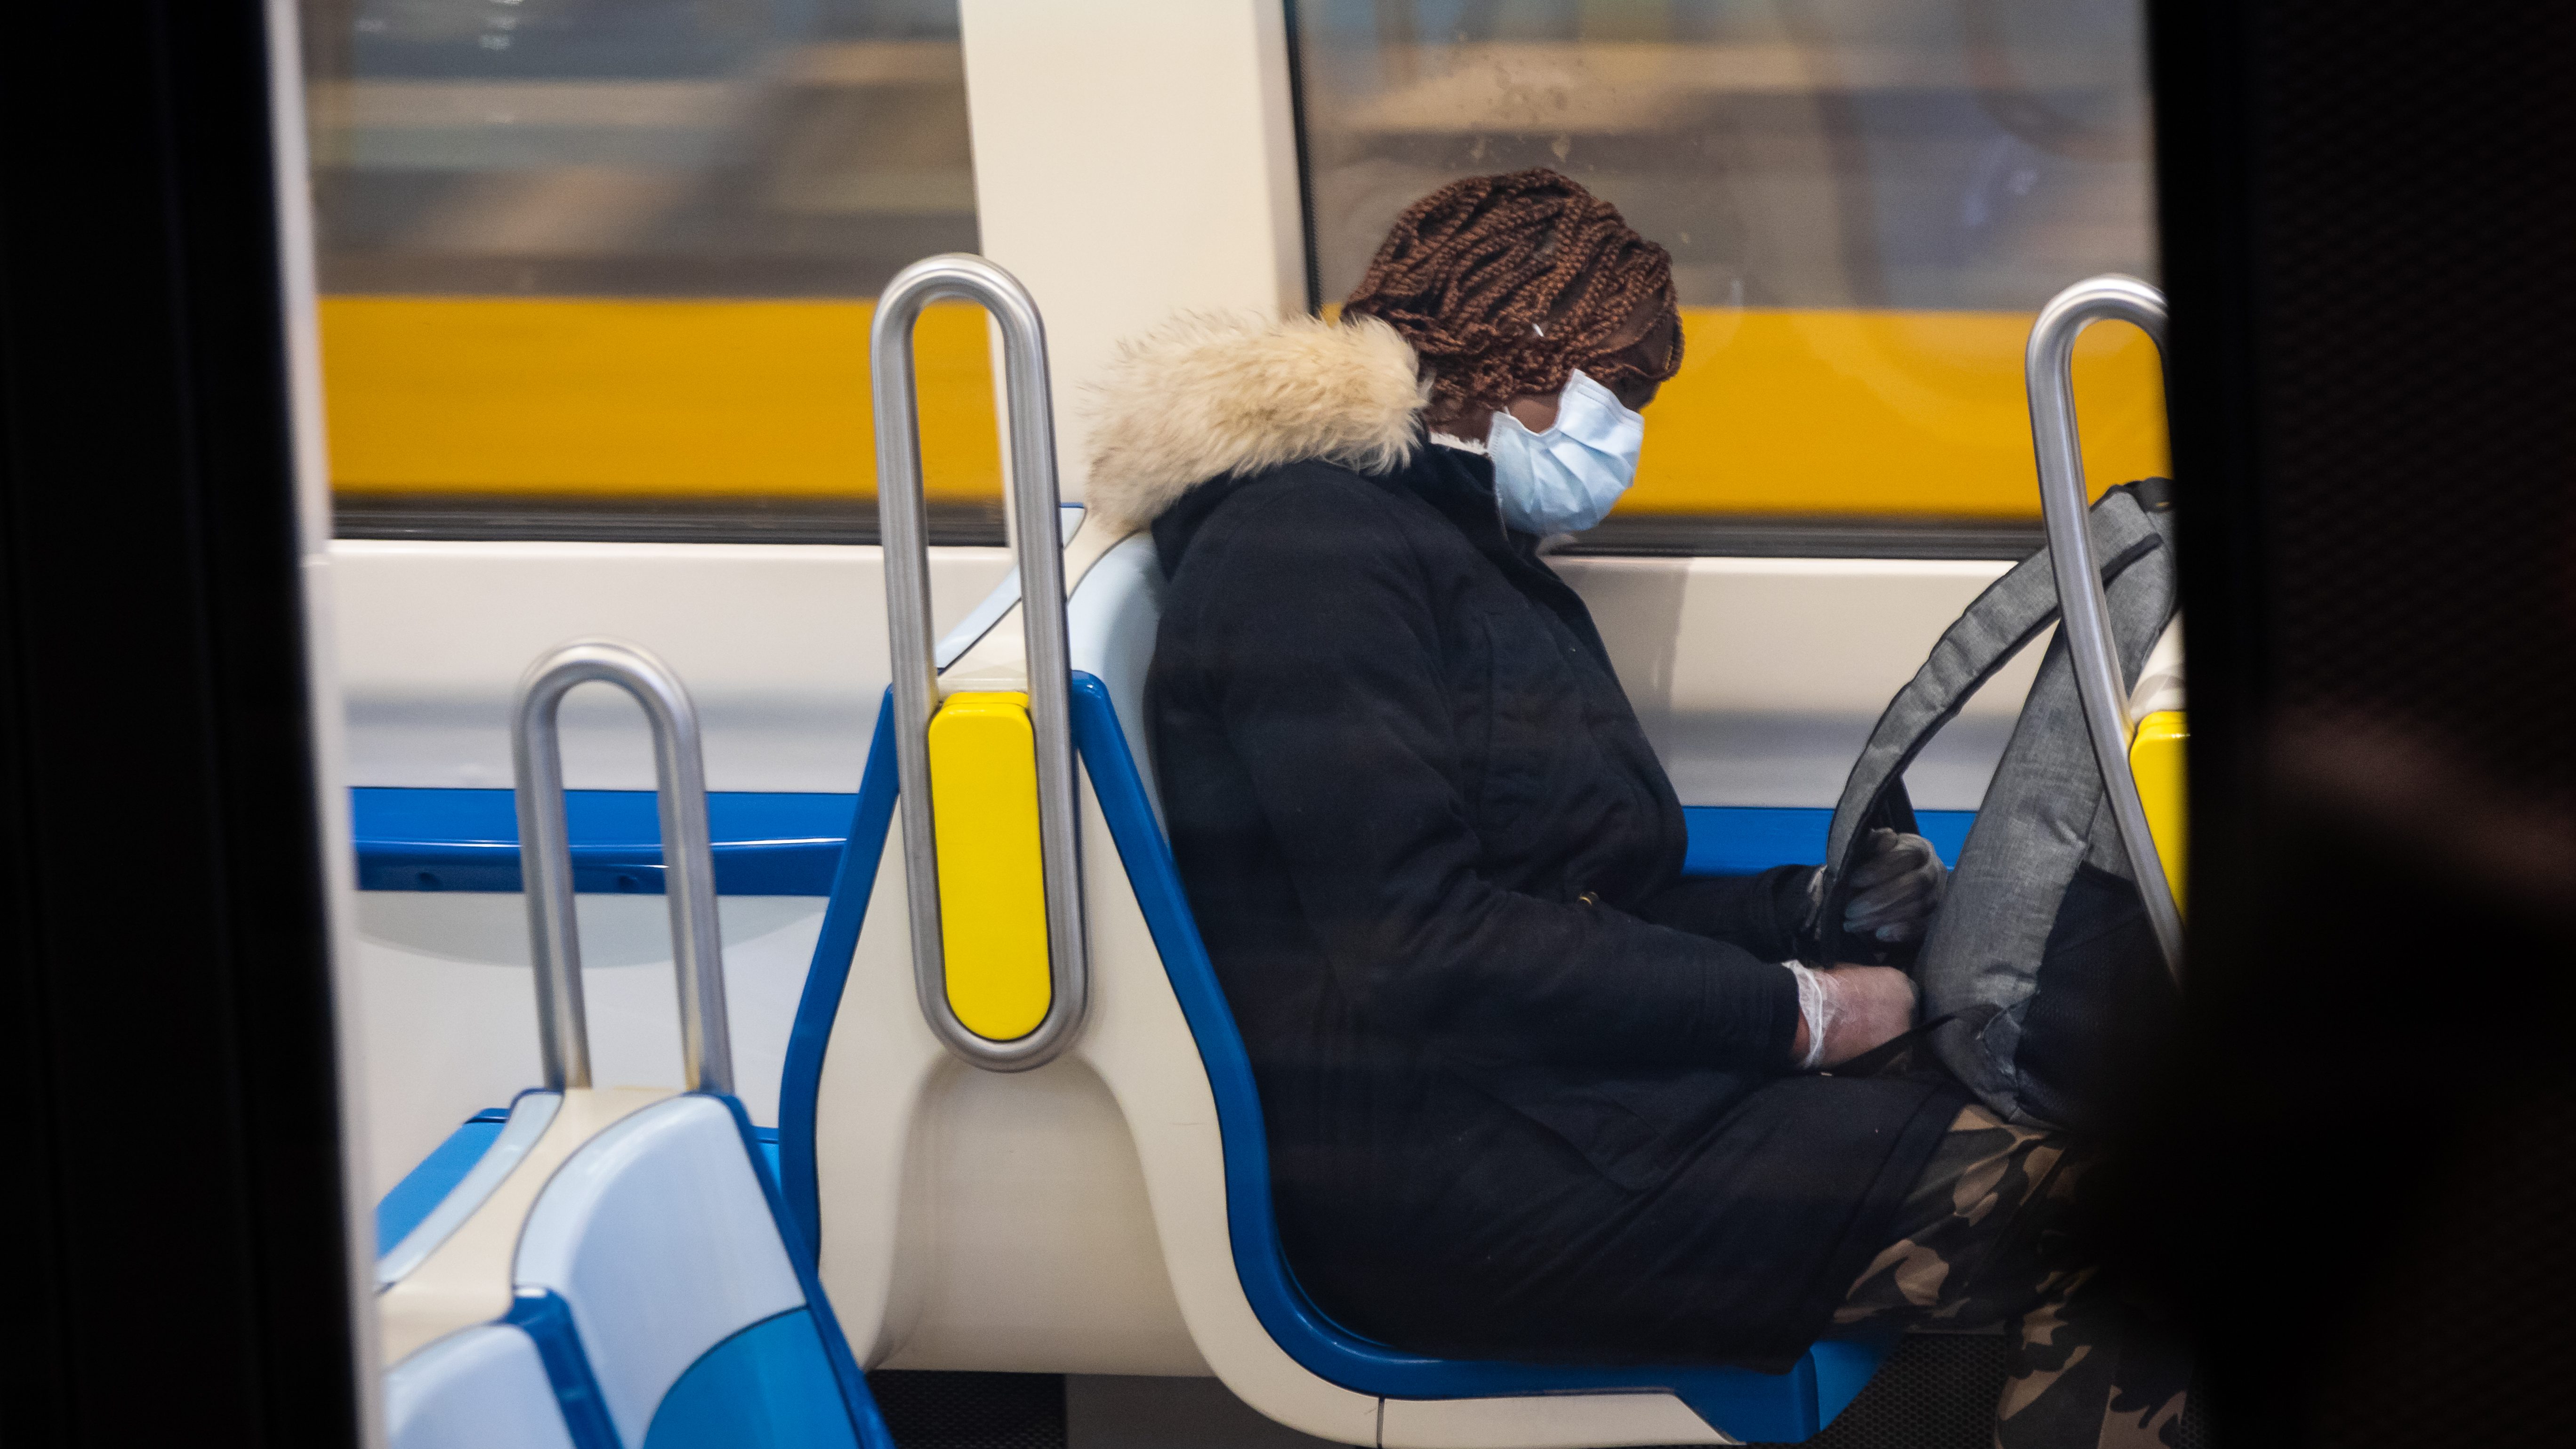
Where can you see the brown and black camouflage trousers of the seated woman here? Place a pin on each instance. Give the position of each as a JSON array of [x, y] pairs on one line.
[[1985, 1241]]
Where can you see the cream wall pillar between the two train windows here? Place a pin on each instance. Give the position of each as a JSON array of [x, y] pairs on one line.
[[1132, 159]]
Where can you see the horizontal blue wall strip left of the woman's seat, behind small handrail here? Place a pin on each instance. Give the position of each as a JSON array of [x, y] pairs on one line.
[[468, 839]]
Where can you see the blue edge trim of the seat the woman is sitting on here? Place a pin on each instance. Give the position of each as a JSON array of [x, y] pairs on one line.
[[1738, 1401]]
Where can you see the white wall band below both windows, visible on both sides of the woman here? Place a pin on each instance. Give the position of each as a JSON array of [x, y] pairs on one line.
[[1758, 679]]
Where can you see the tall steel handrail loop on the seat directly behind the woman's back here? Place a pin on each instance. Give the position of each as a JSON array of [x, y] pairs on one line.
[[1050, 661]]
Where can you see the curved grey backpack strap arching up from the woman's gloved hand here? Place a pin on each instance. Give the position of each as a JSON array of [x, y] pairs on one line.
[[2011, 615]]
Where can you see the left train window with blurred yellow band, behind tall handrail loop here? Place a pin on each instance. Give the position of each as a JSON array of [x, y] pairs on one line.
[[604, 267]]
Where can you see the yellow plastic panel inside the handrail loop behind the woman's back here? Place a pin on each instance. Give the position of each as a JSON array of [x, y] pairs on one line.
[[993, 880]]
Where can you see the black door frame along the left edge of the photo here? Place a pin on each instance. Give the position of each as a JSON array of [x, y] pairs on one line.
[[174, 1208]]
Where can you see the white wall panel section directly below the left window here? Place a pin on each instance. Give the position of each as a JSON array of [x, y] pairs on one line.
[[782, 646]]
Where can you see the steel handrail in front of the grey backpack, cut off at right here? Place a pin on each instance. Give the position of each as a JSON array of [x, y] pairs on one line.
[[2083, 610]]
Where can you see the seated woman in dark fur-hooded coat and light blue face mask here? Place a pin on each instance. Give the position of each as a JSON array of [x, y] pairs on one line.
[[1529, 1092]]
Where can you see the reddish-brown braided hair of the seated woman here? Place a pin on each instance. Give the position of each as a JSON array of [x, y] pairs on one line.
[[1506, 285]]
